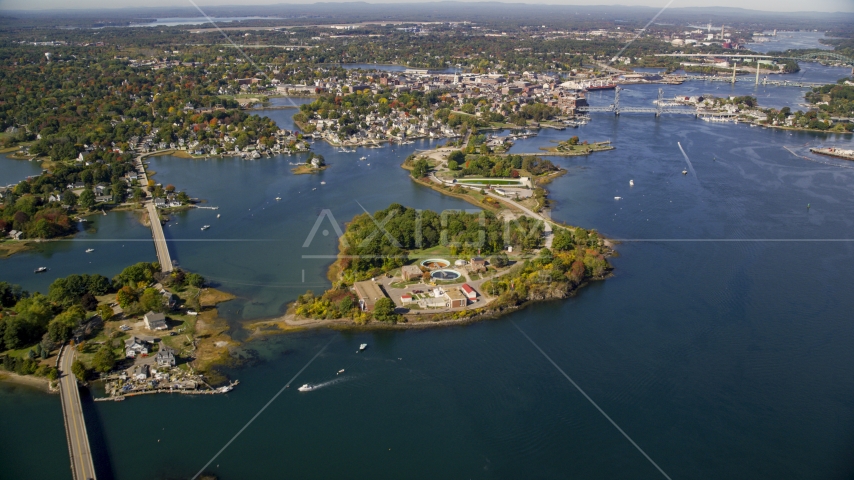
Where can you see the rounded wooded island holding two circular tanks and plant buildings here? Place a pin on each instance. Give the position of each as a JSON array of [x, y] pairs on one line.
[[431, 268]]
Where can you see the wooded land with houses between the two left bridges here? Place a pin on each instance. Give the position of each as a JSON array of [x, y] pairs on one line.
[[103, 316]]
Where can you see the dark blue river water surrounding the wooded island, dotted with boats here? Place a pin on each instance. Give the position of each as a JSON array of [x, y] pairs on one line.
[[722, 345]]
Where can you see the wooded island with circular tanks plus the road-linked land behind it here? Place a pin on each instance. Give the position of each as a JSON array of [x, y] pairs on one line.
[[502, 284]]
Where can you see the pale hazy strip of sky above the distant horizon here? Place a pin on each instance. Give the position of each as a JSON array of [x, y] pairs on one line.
[[767, 5]]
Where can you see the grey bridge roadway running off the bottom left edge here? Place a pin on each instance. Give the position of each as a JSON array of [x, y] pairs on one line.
[[82, 467]]
